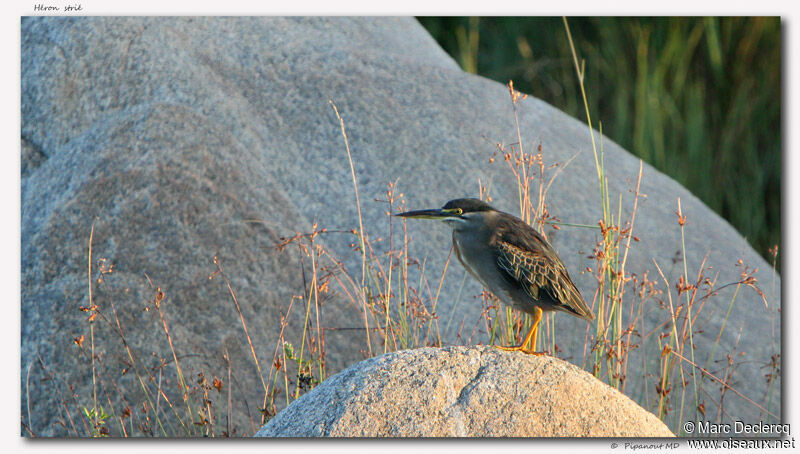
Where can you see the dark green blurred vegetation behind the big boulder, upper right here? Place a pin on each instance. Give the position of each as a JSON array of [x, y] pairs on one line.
[[698, 98]]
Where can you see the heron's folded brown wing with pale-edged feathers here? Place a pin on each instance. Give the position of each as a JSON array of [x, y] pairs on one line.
[[530, 261]]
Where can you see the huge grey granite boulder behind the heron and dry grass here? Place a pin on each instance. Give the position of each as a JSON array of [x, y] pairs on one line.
[[172, 135]]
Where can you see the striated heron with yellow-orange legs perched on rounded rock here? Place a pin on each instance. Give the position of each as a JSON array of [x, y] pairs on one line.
[[511, 260]]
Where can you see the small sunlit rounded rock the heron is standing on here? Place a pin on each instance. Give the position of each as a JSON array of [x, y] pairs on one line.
[[463, 392]]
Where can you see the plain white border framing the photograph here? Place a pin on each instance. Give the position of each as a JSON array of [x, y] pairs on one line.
[[10, 181]]
